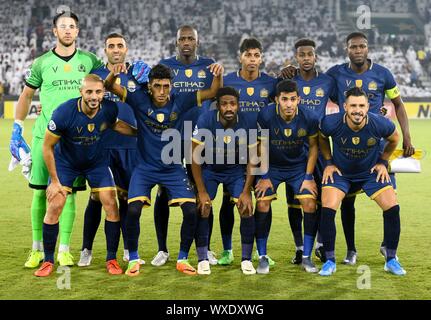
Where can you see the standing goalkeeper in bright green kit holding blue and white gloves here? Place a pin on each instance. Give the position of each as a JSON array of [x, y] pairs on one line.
[[57, 74]]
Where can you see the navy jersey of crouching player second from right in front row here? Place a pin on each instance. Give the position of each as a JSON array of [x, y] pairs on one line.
[[288, 140]]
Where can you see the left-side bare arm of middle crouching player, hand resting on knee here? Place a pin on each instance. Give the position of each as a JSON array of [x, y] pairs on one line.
[[203, 198]]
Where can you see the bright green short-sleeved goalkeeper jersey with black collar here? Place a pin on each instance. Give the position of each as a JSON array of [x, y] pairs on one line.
[[59, 79]]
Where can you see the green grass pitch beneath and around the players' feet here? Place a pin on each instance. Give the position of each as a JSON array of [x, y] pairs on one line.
[[285, 280]]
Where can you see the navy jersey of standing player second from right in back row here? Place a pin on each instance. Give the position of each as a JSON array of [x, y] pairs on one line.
[[315, 93]]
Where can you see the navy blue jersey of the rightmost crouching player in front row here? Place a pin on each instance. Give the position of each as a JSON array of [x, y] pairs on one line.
[[355, 153]]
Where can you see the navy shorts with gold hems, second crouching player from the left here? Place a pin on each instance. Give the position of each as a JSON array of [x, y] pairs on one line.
[[173, 178]]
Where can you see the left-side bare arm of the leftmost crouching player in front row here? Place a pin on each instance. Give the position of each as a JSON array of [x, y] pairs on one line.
[[55, 186]]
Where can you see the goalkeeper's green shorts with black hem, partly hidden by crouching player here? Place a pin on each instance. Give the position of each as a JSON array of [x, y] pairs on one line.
[[39, 173]]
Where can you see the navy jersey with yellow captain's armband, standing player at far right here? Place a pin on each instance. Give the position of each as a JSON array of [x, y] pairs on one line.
[[377, 82]]
